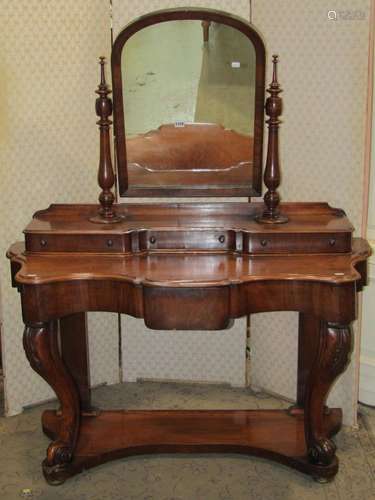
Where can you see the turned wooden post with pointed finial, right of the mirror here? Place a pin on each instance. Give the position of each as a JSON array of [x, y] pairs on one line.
[[271, 214]]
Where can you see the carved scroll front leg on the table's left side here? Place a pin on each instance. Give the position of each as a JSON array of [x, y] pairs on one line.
[[41, 346]]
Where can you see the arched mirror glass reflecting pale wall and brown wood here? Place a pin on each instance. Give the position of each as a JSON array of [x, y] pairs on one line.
[[189, 103]]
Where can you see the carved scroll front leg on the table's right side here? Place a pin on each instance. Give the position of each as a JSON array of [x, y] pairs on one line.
[[335, 343]]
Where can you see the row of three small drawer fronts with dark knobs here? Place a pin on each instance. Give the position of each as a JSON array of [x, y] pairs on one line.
[[232, 240]]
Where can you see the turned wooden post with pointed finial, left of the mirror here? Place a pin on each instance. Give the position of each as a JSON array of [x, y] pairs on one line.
[[106, 177]]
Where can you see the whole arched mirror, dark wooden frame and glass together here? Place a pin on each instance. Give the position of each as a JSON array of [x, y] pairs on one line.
[[188, 89]]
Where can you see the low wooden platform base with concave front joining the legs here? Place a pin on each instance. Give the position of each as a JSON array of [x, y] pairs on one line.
[[274, 434]]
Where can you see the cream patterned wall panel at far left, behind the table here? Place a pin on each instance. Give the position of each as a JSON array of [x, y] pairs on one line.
[[48, 152]]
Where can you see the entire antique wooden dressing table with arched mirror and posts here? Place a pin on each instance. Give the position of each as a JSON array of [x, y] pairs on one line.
[[189, 266]]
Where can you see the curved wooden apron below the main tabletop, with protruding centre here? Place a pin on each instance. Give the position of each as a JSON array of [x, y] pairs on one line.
[[190, 307]]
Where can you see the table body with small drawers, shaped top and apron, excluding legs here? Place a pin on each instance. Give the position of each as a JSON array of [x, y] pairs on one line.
[[189, 266]]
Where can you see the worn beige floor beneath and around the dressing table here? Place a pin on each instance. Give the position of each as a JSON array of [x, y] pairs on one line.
[[182, 477]]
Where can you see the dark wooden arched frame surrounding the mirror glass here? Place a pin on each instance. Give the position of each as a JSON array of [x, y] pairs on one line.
[[182, 14]]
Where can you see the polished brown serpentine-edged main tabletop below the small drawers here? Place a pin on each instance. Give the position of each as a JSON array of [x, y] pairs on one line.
[[193, 269]]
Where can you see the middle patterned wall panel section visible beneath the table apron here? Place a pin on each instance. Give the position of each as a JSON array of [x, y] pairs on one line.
[[197, 356]]
